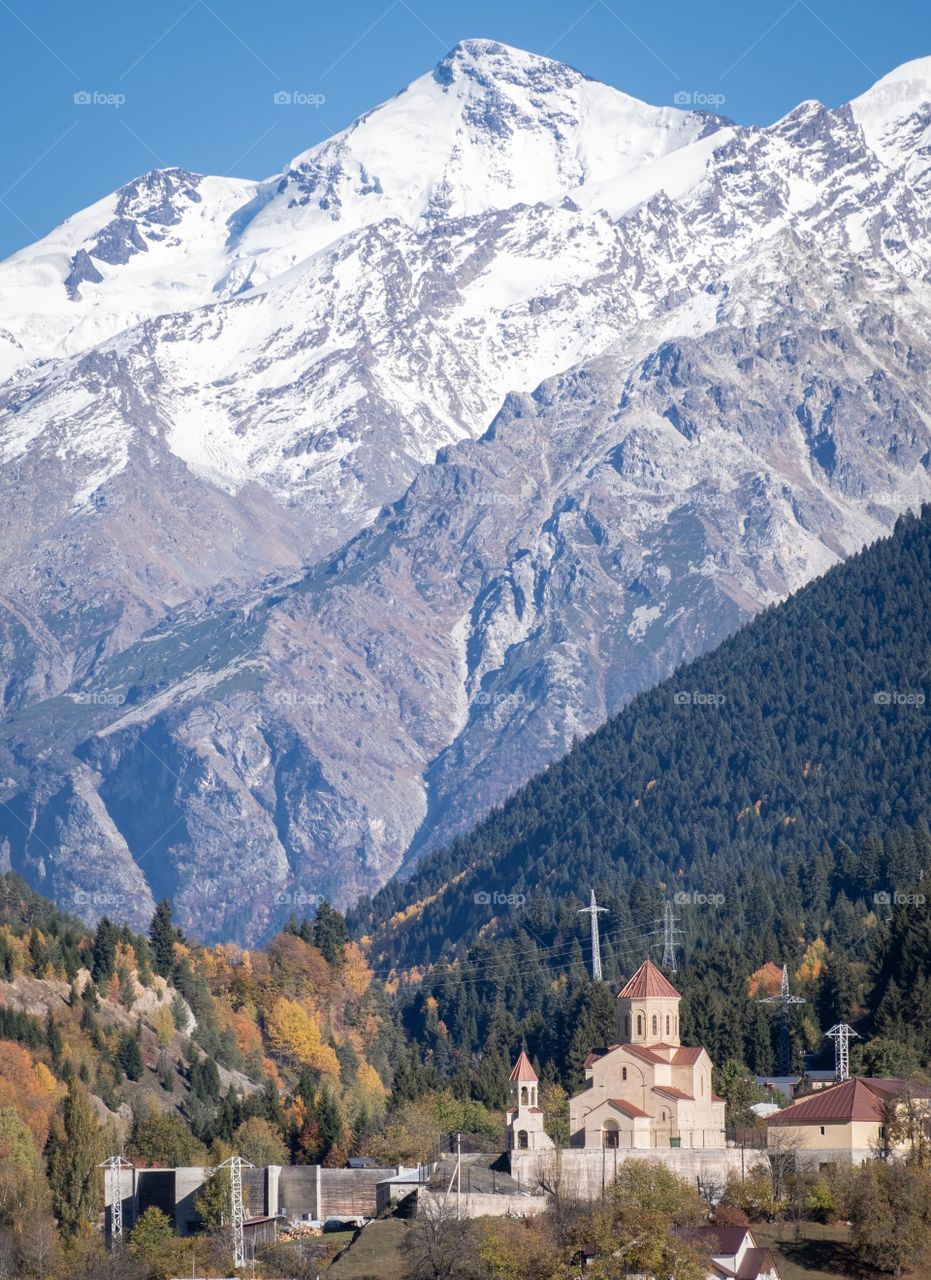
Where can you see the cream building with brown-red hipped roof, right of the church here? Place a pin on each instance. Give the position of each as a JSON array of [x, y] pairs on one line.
[[859, 1119]]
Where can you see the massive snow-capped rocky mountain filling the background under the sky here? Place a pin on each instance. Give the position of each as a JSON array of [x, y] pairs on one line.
[[336, 505]]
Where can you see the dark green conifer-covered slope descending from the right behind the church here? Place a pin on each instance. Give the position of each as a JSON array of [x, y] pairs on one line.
[[777, 790]]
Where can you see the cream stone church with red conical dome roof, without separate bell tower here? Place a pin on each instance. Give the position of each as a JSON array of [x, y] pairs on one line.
[[649, 1091]]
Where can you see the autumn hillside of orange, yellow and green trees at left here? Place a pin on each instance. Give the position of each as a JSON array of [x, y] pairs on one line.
[[172, 1054]]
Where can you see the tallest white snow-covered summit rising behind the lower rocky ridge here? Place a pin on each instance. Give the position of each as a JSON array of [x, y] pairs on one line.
[[489, 129]]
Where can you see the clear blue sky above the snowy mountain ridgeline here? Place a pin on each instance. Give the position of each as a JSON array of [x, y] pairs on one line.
[[198, 77]]
